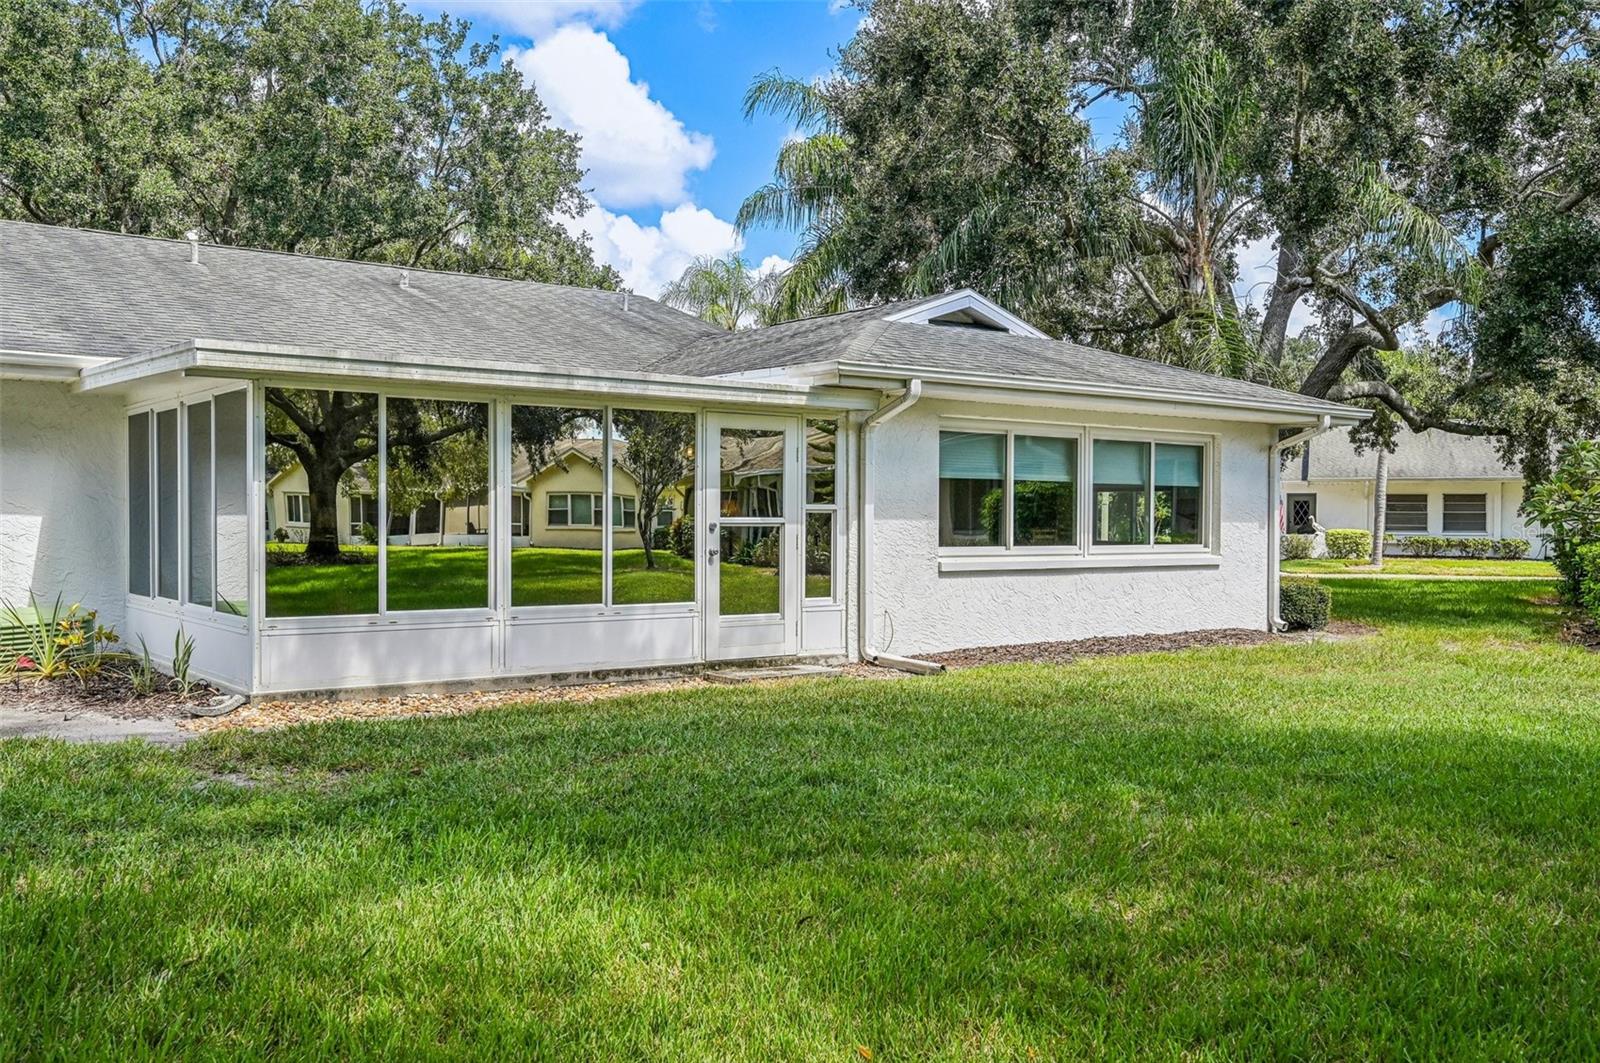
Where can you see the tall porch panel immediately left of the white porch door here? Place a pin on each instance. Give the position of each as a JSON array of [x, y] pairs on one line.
[[652, 470]]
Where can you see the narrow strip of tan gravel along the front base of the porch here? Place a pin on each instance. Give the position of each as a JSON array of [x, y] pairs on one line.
[[270, 715]]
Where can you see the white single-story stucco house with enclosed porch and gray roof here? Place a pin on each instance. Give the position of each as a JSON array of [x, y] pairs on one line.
[[868, 486]]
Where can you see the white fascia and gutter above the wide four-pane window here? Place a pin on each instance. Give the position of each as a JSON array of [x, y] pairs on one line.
[[1023, 391]]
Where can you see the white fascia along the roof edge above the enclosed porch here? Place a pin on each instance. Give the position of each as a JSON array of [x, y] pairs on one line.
[[206, 358]]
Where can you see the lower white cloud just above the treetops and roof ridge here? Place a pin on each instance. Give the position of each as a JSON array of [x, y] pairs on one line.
[[649, 257]]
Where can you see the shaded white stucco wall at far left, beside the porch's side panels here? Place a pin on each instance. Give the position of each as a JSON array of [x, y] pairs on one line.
[[63, 515]]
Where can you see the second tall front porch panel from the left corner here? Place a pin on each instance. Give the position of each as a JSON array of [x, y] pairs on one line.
[[439, 471]]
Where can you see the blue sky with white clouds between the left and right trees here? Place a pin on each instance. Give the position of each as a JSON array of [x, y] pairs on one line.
[[655, 90]]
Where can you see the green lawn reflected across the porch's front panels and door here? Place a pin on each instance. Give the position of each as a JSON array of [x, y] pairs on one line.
[[457, 577]]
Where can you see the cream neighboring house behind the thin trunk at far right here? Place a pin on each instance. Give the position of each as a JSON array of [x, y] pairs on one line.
[[1439, 484]]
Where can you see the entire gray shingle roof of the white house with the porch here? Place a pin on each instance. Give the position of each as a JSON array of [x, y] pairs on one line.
[[97, 294]]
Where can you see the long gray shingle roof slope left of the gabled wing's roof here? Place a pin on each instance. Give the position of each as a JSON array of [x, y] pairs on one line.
[[81, 292]]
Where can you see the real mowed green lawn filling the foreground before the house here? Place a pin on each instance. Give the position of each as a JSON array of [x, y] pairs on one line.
[[1377, 848]]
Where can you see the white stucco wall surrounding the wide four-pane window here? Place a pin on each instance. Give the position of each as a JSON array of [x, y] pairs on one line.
[[921, 611]]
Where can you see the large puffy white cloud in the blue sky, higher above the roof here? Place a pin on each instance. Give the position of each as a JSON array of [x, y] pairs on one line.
[[636, 151]]
